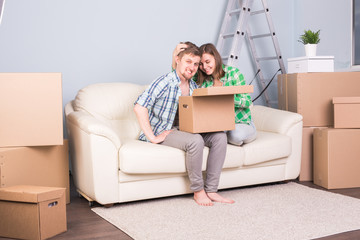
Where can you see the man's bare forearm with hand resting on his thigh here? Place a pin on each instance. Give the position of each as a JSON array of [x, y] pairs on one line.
[[142, 116]]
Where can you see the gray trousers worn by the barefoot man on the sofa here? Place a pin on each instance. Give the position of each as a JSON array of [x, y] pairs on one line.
[[193, 145]]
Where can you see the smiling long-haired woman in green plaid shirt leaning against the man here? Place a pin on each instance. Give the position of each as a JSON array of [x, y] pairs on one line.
[[212, 72]]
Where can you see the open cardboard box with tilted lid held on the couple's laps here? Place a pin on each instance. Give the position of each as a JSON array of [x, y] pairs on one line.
[[209, 109]]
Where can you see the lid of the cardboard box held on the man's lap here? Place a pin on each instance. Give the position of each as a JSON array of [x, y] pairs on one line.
[[228, 90]]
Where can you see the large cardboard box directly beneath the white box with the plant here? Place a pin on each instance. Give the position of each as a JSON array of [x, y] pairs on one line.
[[311, 94]]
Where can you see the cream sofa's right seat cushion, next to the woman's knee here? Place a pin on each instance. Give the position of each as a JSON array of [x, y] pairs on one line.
[[267, 146]]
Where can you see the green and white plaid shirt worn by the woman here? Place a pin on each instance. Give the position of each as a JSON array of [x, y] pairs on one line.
[[233, 77]]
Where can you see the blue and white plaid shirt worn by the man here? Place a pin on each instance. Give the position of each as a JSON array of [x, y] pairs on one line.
[[161, 99]]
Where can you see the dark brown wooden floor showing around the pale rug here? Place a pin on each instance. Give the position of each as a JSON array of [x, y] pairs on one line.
[[82, 223]]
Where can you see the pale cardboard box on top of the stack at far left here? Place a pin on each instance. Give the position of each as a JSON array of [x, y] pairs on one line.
[[30, 109]]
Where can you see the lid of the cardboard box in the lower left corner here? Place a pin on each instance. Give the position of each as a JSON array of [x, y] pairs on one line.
[[33, 194]]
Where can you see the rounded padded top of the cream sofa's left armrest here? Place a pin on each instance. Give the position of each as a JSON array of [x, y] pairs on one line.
[[91, 125]]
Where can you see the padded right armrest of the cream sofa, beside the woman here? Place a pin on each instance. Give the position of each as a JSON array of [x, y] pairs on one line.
[[274, 120]]
